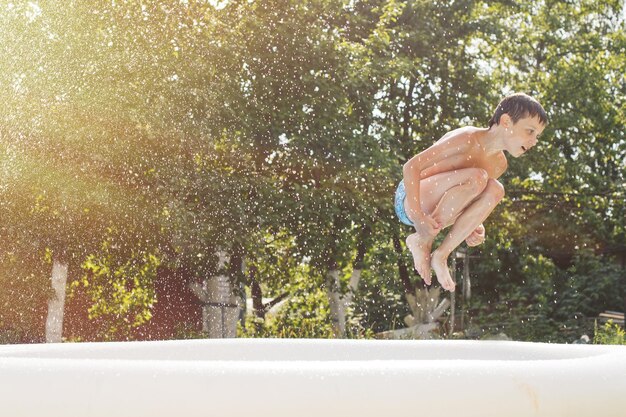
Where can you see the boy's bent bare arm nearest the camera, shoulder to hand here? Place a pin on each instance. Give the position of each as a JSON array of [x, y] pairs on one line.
[[412, 169]]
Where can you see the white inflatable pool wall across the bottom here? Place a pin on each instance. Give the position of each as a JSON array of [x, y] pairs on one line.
[[312, 377]]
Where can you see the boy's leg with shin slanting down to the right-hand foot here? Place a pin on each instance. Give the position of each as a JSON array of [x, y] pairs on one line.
[[465, 224]]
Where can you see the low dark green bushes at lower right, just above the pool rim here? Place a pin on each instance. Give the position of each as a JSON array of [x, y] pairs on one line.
[[550, 304]]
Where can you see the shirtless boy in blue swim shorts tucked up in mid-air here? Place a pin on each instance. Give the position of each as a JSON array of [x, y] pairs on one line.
[[455, 182]]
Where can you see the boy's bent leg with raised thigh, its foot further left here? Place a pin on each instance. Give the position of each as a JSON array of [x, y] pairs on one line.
[[443, 196]]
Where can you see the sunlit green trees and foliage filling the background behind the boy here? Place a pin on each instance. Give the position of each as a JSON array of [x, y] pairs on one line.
[[281, 126]]
